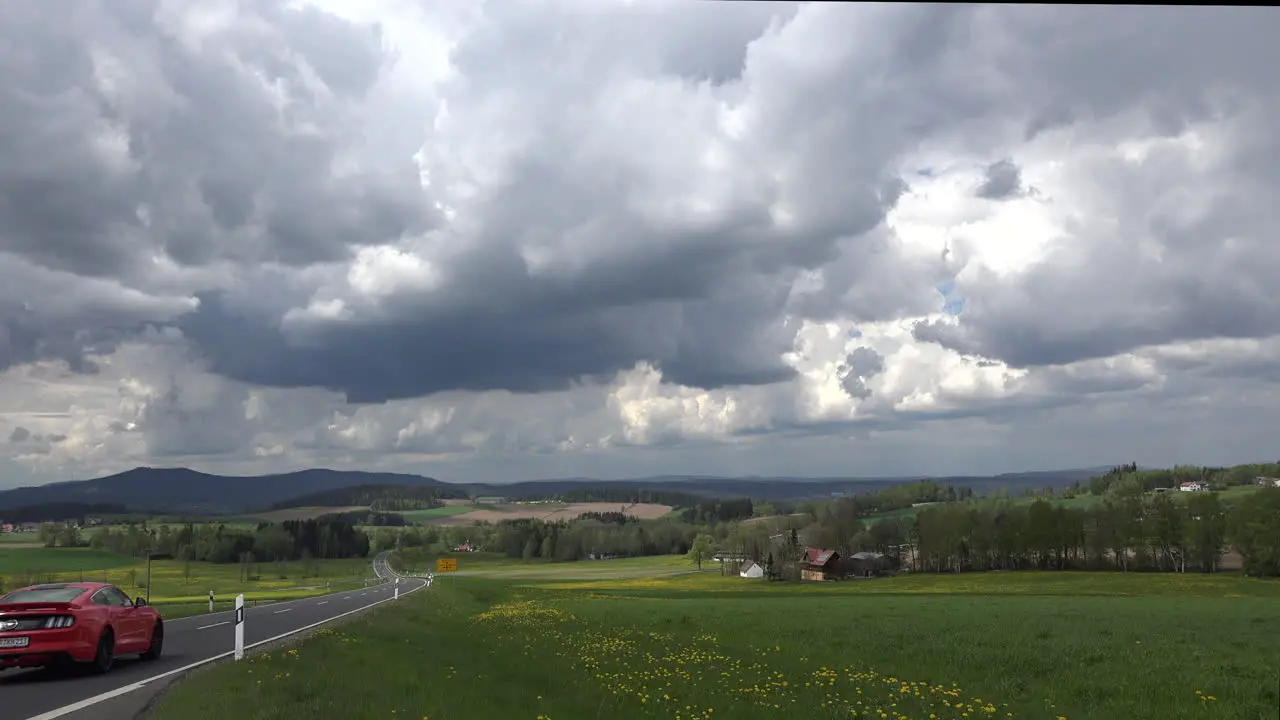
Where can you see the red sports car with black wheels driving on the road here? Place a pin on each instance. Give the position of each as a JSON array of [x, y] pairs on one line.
[[72, 625]]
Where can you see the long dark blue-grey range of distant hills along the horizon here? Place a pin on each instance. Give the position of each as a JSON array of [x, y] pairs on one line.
[[184, 491]]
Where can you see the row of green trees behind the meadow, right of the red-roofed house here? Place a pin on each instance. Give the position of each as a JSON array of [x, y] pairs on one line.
[[1163, 532]]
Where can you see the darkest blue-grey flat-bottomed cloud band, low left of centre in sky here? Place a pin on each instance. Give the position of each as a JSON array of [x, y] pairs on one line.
[[522, 348]]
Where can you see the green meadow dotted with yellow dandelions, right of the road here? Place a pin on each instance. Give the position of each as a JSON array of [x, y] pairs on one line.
[[1002, 645]]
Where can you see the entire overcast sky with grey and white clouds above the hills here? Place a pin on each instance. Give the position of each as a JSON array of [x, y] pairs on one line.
[[531, 239]]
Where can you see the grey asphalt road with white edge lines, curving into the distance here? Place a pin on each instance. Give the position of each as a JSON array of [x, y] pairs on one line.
[[42, 695]]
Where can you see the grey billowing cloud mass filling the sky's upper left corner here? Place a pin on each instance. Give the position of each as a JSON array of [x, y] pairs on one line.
[[122, 140]]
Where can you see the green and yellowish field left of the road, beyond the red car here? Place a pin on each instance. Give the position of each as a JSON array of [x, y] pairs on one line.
[[175, 585]]
